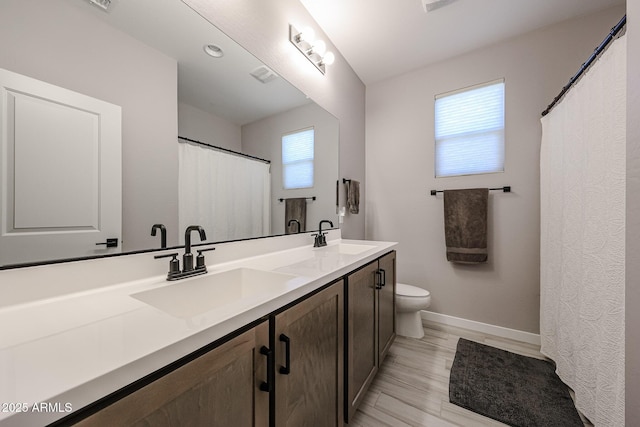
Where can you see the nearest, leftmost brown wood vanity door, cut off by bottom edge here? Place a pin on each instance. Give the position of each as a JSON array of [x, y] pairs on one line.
[[220, 388]]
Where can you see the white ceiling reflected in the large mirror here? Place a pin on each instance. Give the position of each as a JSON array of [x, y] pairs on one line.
[[223, 86]]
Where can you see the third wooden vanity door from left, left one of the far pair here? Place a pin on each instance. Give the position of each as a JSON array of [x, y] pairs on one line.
[[361, 334]]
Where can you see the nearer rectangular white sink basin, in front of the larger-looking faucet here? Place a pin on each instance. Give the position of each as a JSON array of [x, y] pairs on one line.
[[191, 297]]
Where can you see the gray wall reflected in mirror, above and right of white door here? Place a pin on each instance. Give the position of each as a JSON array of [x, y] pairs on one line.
[[59, 43]]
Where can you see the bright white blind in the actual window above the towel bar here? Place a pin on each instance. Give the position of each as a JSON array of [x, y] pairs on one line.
[[469, 130]]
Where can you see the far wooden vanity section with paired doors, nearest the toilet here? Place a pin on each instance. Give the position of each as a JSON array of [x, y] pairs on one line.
[[370, 325]]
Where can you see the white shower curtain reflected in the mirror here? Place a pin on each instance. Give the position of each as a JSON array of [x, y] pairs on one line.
[[228, 195]]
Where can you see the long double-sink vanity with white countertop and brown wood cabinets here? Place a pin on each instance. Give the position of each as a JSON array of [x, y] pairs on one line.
[[277, 332]]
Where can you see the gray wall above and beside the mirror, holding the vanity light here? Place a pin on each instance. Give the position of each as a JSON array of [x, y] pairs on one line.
[[262, 27]]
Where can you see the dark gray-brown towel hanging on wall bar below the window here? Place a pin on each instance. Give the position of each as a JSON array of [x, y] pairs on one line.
[[465, 225]]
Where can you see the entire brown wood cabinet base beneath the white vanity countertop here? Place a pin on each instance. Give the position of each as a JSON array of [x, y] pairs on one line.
[[288, 370]]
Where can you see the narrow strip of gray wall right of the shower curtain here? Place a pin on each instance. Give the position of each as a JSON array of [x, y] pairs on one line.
[[632, 262]]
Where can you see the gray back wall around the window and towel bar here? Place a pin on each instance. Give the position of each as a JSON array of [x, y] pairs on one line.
[[400, 172]]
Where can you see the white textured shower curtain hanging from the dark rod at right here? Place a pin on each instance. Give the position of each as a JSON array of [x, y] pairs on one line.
[[582, 252]]
